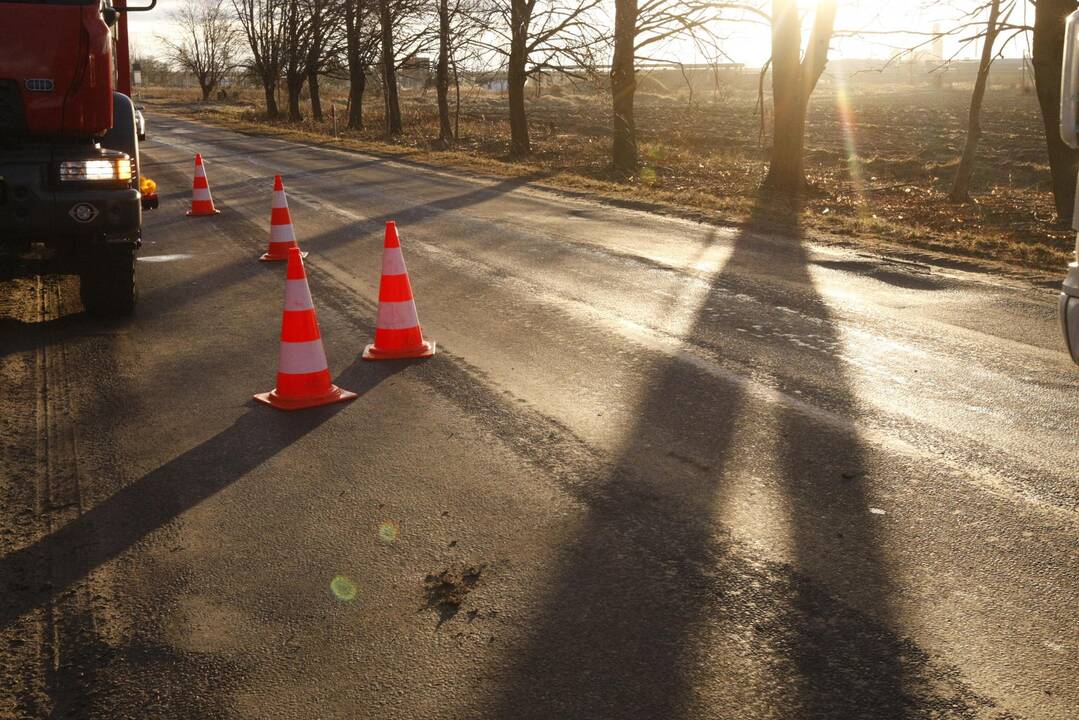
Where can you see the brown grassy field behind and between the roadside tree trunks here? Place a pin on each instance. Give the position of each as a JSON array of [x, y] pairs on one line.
[[881, 161]]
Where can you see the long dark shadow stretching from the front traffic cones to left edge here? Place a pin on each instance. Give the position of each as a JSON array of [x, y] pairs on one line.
[[39, 573]]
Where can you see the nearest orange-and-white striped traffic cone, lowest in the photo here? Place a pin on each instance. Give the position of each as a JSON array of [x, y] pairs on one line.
[[304, 377]]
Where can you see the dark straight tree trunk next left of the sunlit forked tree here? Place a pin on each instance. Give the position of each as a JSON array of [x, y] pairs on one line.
[[623, 87]]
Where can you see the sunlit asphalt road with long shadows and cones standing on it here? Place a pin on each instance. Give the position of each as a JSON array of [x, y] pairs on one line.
[[658, 470]]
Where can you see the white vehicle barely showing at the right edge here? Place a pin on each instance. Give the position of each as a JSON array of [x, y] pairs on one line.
[[1070, 133]]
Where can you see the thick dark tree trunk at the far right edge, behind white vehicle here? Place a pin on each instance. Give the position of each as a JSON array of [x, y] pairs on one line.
[[1047, 56]]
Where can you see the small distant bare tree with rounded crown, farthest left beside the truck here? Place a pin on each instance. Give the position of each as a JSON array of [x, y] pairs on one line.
[[207, 43]]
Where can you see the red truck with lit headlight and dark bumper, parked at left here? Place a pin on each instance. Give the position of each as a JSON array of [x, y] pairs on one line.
[[72, 191]]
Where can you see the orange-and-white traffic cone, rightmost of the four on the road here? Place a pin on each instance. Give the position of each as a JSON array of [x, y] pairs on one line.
[[398, 329]]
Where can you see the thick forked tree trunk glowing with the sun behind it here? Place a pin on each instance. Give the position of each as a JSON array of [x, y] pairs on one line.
[[794, 80]]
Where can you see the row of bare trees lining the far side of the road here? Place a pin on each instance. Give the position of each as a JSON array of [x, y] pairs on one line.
[[294, 44]]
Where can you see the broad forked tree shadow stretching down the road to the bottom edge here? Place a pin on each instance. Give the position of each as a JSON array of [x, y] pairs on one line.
[[653, 614]]
